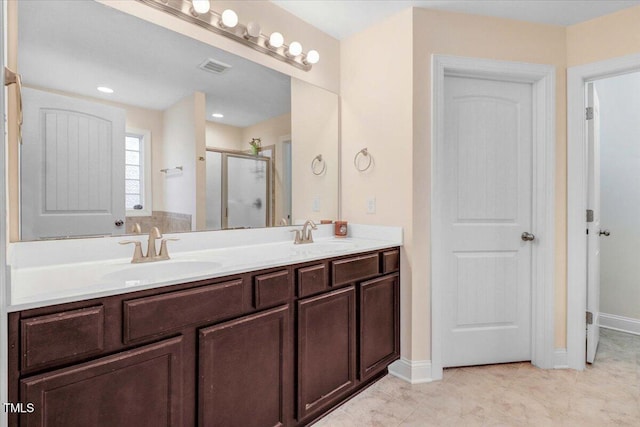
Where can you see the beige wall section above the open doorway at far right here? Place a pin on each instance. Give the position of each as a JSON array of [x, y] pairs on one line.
[[610, 36]]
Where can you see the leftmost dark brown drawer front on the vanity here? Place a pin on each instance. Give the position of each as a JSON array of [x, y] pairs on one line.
[[61, 337]]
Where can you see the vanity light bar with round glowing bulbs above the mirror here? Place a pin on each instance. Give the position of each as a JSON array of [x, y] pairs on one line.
[[227, 24]]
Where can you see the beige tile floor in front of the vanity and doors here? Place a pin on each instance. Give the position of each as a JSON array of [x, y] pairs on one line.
[[605, 394]]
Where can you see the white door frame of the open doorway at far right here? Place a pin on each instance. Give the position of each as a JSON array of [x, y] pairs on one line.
[[577, 77]]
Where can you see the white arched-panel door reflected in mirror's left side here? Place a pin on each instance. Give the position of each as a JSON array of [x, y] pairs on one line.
[[71, 167]]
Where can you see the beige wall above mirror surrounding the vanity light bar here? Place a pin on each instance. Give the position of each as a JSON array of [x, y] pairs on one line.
[[325, 73]]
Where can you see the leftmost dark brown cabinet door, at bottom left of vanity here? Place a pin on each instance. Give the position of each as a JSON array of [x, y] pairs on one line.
[[140, 387]]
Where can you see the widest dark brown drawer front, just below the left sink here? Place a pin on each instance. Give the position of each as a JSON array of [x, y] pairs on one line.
[[149, 316]]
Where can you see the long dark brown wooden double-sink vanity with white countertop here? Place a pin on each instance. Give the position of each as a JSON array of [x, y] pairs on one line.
[[280, 345]]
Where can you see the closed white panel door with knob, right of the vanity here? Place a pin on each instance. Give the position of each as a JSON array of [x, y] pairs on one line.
[[487, 207]]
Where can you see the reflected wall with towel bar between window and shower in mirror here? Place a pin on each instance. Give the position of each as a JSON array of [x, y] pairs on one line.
[[184, 134]]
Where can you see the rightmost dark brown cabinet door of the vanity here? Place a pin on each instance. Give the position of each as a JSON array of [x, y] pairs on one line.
[[379, 324]]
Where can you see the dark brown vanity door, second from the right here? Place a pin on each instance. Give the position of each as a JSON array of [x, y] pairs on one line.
[[326, 349]]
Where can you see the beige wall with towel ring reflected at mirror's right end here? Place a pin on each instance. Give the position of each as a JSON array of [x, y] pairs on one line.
[[314, 130]]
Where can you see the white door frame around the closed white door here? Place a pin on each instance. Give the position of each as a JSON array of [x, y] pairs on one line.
[[542, 77]]
